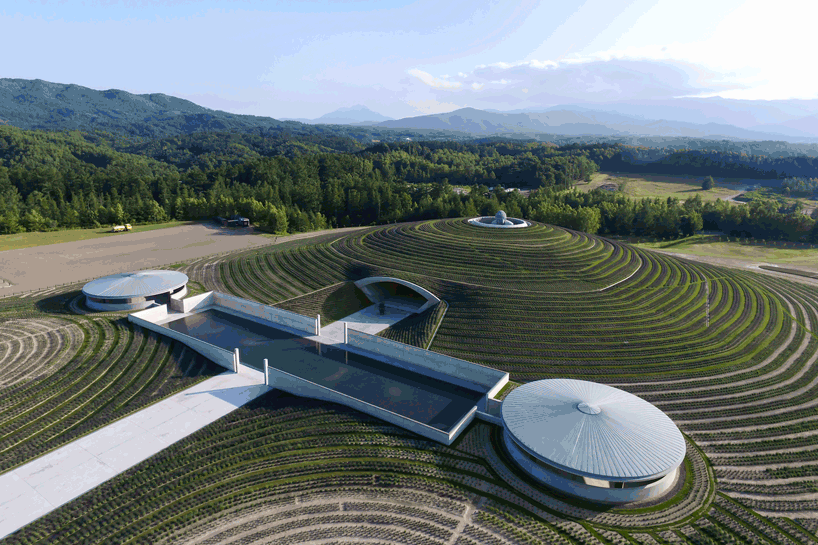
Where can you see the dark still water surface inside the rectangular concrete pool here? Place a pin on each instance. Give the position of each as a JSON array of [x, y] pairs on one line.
[[413, 395]]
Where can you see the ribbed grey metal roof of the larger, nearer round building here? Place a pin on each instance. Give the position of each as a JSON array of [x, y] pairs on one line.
[[593, 430]]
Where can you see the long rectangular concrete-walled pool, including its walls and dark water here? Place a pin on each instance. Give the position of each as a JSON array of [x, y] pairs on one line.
[[431, 394]]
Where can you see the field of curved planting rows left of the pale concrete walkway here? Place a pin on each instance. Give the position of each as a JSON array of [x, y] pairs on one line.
[[66, 377]]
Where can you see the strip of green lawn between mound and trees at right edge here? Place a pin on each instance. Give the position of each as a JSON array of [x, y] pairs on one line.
[[711, 246]]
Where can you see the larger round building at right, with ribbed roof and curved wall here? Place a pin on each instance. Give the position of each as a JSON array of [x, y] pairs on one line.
[[592, 441]]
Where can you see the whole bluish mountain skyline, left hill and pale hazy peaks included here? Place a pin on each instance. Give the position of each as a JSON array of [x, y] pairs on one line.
[[38, 104]]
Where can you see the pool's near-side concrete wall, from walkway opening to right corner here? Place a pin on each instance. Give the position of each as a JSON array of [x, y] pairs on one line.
[[297, 386]]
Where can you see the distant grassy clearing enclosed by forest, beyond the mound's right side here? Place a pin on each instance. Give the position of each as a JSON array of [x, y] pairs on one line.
[[655, 185]]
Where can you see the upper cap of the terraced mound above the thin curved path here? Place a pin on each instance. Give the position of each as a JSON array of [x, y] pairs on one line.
[[551, 260]]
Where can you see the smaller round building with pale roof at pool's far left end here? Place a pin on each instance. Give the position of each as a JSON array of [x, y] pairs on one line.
[[134, 290]]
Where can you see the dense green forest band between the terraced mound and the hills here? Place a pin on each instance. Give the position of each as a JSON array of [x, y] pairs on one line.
[[53, 180]]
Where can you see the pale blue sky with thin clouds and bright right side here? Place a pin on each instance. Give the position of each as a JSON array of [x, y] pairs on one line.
[[306, 58]]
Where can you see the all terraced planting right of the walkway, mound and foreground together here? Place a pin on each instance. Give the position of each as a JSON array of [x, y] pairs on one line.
[[731, 356]]
